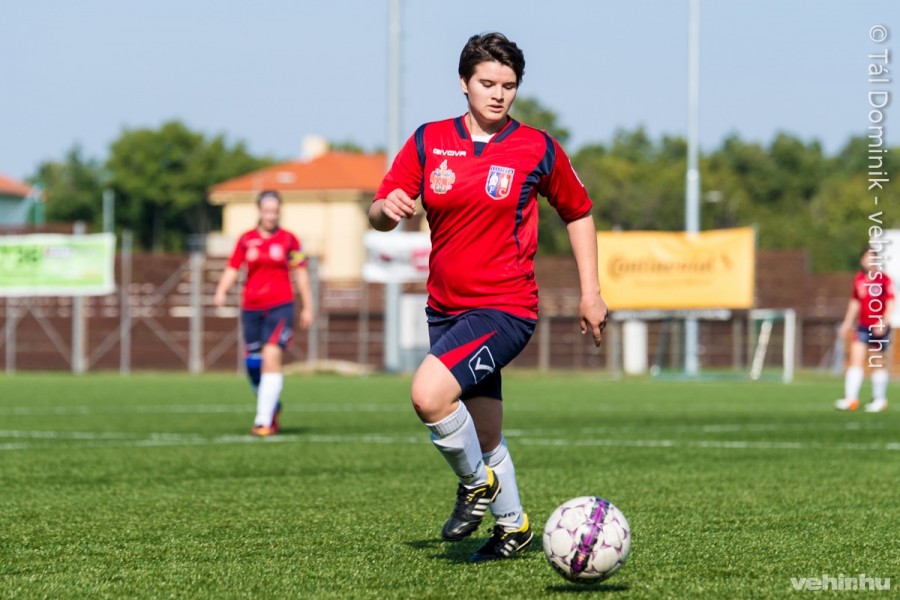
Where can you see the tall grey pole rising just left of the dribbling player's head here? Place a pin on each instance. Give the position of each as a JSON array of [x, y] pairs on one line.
[[392, 289]]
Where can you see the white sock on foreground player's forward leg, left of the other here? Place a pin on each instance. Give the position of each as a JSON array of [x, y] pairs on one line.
[[456, 439]]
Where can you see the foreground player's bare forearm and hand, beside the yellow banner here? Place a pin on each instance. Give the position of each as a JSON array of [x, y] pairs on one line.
[[592, 309]]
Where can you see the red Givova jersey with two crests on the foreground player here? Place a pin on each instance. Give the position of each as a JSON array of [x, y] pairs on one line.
[[482, 210]]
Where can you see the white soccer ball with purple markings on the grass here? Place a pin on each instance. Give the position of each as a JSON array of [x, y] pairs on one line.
[[587, 539]]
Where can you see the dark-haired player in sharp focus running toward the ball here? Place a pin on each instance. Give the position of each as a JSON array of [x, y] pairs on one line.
[[479, 176]]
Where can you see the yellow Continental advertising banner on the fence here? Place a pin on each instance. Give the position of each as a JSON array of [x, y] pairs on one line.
[[674, 270]]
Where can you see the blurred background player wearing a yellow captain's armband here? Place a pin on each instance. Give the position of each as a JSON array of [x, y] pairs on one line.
[[267, 307]]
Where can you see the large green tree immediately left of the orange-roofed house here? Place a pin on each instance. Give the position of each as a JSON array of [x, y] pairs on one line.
[[161, 177]]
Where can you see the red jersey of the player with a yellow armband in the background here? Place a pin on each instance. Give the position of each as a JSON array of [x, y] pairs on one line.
[[269, 261]]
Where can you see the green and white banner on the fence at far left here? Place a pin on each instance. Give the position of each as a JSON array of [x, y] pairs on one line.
[[57, 265]]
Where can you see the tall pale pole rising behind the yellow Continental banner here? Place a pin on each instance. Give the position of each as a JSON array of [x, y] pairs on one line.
[[692, 189]]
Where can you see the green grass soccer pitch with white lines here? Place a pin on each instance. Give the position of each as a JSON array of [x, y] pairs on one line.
[[149, 486]]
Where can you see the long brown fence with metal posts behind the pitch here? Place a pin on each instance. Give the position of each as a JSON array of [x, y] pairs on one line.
[[162, 318]]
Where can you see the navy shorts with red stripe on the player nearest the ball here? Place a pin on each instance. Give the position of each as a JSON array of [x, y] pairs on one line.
[[476, 344]]
